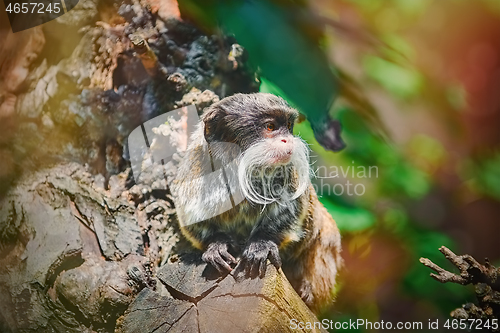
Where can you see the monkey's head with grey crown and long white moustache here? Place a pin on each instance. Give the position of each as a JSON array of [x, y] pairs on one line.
[[273, 164]]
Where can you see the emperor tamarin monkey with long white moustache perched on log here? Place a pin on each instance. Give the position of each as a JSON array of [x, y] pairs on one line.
[[243, 188]]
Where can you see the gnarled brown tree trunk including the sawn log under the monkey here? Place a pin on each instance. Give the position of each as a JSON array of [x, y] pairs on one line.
[[83, 245]]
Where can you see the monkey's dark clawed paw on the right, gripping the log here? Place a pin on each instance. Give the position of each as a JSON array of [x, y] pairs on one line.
[[254, 258]]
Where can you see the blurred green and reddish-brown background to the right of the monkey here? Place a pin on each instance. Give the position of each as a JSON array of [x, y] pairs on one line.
[[417, 86]]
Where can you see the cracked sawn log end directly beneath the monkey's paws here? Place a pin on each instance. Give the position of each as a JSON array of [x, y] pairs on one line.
[[201, 302]]
